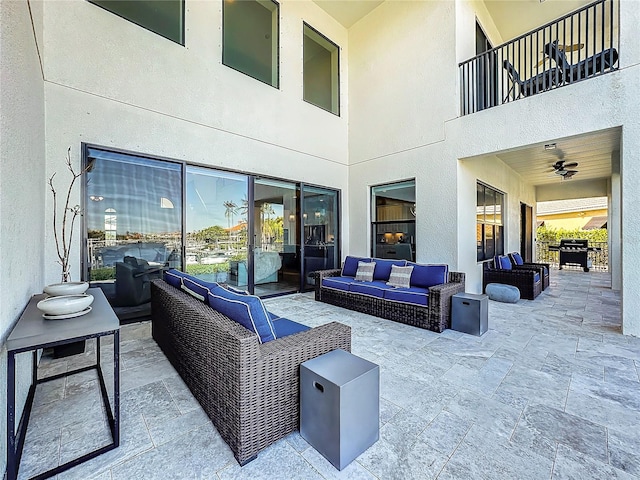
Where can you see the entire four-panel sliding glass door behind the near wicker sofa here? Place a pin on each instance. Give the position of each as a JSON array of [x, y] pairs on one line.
[[143, 216]]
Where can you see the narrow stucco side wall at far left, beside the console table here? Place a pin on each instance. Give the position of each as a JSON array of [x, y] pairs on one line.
[[22, 184]]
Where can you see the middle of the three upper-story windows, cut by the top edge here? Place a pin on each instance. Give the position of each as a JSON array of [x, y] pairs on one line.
[[250, 38]]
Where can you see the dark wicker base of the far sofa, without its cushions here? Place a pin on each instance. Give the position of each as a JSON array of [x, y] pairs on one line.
[[435, 317]]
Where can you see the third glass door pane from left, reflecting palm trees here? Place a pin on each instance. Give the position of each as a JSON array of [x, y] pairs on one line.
[[276, 246]]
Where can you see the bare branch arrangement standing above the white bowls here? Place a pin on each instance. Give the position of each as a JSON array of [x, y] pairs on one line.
[[63, 239]]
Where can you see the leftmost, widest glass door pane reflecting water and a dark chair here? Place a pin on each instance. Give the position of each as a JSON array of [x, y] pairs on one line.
[[133, 221]]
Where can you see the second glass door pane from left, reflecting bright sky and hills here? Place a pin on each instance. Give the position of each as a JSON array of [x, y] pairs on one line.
[[216, 226]]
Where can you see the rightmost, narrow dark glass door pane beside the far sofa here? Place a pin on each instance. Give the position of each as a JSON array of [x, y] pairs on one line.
[[320, 219]]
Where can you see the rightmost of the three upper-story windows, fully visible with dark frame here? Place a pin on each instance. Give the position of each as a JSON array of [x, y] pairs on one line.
[[321, 67]]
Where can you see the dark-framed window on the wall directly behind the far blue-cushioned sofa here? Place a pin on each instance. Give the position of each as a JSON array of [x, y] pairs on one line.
[[393, 226]]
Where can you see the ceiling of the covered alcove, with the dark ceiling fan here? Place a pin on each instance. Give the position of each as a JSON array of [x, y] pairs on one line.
[[591, 151]]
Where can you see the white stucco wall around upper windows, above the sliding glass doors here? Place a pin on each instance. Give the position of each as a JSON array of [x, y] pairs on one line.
[[140, 92]]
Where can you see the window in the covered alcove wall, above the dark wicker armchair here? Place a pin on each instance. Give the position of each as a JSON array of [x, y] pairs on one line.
[[489, 227]]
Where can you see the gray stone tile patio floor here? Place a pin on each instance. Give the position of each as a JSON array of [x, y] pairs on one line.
[[552, 390]]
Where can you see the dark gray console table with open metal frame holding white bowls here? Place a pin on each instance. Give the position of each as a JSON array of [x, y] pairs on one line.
[[33, 332]]
